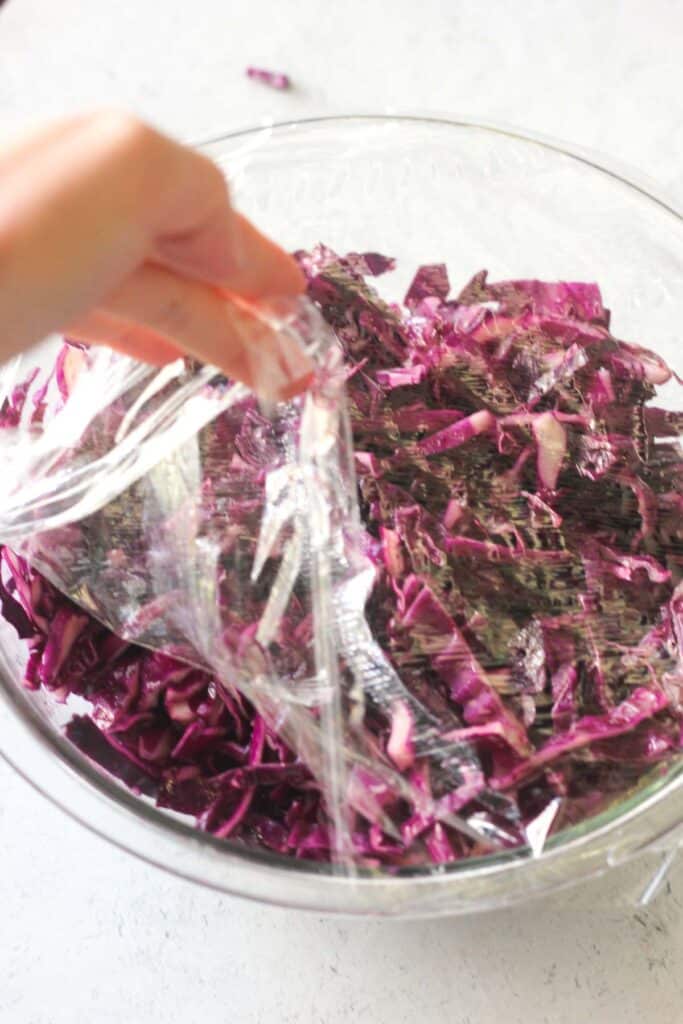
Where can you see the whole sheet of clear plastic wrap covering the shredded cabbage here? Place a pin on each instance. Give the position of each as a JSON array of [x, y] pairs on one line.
[[195, 522]]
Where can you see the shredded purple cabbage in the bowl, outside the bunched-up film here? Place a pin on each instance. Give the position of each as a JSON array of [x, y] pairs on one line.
[[523, 504]]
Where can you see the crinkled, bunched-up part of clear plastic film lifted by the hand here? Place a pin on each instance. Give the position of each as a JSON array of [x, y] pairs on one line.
[[192, 521]]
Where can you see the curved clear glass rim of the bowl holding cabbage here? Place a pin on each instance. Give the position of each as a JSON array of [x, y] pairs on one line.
[[267, 877]]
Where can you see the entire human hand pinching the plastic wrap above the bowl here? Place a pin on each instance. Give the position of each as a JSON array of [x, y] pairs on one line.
[[115, 235]]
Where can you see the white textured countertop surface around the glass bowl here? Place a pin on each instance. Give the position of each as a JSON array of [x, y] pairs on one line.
[[88, 933]]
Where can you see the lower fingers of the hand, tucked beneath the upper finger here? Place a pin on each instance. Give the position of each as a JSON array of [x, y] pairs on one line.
[[165, 314]]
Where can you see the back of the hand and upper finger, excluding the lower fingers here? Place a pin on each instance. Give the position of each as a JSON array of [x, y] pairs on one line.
[[90, 201]]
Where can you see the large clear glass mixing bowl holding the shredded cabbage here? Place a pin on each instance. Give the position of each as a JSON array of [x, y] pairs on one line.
[[422, 190]]
